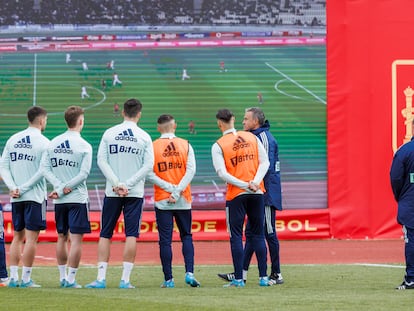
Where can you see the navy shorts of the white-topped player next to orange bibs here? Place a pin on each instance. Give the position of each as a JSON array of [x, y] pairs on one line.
[[111, 210]]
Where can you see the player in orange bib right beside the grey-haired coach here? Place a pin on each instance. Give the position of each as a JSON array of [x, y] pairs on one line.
[[241, 161]]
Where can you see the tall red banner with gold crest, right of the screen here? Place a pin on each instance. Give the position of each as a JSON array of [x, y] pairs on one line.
[[369, 70]]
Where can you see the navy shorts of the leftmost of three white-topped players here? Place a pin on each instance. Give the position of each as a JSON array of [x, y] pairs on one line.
[[29, 215]]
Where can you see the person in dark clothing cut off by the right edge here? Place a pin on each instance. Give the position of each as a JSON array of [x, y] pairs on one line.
[[402, 183]]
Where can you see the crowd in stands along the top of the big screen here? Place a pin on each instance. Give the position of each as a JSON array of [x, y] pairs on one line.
[[155, 12]]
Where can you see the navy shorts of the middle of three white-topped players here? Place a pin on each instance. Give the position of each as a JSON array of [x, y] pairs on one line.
[[73, 217]]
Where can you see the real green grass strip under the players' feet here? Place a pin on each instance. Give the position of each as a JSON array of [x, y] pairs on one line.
[[307, 287]]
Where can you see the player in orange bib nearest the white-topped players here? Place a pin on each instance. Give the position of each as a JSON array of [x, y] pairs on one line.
[[174, 168]]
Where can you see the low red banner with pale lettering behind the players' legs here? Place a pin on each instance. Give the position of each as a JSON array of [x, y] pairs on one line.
[[207, 225]]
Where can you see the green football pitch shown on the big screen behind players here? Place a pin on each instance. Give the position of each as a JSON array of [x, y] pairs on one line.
[[291, 80]]
